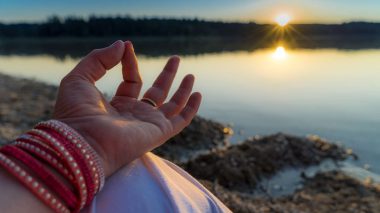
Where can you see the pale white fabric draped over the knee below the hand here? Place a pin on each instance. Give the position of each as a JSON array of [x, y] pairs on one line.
[[152, 184]]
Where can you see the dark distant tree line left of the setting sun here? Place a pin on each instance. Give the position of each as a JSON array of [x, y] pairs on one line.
[[124, 26]]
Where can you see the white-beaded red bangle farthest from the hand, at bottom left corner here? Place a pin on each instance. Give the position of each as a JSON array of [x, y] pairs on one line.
[[33, 185]]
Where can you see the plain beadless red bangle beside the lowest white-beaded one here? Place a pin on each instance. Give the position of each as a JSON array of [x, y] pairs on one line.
[[43, 173]]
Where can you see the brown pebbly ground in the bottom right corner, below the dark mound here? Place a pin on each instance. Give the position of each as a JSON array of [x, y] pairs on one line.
[[326, 192]]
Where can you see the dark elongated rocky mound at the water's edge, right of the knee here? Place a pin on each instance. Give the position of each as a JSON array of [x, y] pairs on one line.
[[236, 169]]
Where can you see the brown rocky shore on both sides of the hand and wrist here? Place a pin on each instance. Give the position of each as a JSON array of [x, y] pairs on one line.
[[233, 172]]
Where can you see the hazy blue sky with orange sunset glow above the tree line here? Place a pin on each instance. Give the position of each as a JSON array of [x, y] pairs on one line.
[[330, 11]]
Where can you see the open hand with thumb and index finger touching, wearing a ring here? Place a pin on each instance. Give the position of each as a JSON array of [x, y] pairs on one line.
[[125, 128]]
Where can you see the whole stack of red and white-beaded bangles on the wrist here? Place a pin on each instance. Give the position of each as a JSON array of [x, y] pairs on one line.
[[56, 164]]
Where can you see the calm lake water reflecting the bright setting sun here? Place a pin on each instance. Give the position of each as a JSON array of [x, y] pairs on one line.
[[328, 92]]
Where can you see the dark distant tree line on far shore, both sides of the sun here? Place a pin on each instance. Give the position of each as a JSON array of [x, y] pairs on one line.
[[96, 26]]
